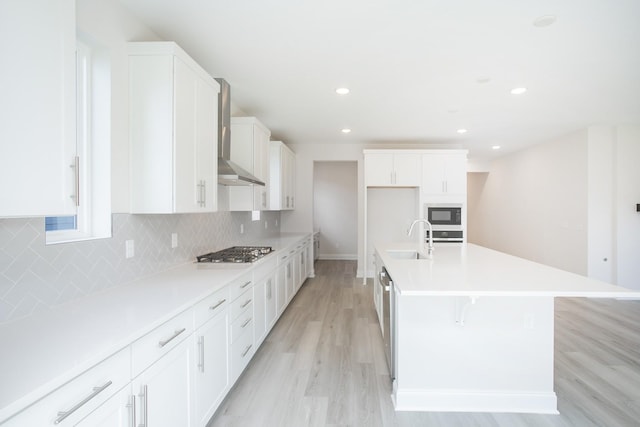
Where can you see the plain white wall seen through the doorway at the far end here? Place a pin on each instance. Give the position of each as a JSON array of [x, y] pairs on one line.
[[335, 208]]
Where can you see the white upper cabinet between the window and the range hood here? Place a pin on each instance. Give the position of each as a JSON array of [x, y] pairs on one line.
[[173, 131]]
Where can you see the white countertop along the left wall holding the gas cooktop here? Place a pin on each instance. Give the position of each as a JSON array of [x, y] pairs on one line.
[[42, 352]]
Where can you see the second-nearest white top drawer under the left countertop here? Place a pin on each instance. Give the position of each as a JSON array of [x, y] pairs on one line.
[[158, 342]]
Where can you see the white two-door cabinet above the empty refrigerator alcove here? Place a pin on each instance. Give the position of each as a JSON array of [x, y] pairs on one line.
[[392, 169]]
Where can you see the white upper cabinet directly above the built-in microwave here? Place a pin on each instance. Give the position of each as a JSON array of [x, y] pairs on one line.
[[444, 173]]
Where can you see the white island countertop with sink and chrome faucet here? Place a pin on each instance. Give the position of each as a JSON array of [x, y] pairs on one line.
[[472, 270]]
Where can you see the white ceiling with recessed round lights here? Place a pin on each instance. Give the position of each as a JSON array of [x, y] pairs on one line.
[[413, 66]]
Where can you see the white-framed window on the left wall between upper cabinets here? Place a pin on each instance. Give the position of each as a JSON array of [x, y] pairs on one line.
[[92, 165]]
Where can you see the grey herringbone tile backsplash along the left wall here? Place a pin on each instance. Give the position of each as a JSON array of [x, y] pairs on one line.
[[35, 277]]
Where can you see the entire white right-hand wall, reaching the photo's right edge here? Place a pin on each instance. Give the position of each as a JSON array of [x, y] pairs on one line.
[[569, 203]]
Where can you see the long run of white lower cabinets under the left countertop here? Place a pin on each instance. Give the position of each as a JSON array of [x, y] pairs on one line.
[[179, 373]]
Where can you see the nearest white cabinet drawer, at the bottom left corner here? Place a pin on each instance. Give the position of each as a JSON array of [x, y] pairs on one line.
[[82, 395]]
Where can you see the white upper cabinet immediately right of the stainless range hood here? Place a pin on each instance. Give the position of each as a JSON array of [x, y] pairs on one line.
[[250, 150]]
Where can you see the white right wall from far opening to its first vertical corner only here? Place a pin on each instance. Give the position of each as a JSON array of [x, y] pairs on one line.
[[533, 204]]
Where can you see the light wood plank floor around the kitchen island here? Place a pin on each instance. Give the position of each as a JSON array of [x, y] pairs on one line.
[[323, 365]]
